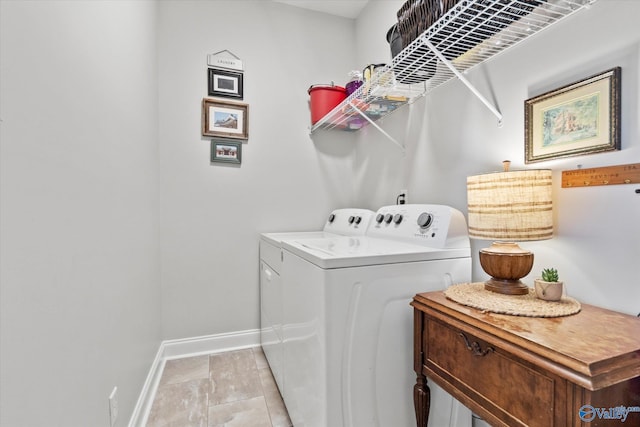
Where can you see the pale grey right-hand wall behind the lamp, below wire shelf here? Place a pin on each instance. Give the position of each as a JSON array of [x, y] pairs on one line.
[[450, 135]]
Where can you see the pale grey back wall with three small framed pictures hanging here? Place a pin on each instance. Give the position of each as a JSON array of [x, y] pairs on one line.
[[212, 214]]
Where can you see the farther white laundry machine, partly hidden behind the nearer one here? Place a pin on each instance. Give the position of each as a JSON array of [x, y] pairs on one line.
[[350, 222]]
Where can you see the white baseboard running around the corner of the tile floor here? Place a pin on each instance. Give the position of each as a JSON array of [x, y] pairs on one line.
[[186, 347]]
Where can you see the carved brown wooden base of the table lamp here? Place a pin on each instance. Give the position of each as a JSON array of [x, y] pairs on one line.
[[506, 263]]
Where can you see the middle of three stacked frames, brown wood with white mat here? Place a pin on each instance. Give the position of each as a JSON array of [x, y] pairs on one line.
[[224, 119]]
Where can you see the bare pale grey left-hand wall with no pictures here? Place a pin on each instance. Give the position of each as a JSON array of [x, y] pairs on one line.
[[79, 265]]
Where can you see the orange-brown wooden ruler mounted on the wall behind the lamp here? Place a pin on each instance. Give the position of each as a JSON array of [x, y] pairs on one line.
[[609, 175]]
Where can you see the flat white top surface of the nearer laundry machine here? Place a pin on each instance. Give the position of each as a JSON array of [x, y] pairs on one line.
[[356, 251]]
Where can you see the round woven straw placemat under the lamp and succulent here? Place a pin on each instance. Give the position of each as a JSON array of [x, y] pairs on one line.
[[476, 296]]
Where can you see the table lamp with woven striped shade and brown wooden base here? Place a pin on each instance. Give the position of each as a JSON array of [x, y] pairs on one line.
[[508, 207]]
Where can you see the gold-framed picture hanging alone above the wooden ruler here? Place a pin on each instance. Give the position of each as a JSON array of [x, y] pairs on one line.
[[577, 119]]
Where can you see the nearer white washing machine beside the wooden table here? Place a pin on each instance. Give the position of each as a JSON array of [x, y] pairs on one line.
[[347, 324]]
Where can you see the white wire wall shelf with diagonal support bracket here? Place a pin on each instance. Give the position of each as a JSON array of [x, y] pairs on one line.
[[470, 33]]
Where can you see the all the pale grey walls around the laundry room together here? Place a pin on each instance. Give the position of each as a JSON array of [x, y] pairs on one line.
[[92, 122]]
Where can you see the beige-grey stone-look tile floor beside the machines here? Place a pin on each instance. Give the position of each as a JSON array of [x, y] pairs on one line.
[[232, 389]]
